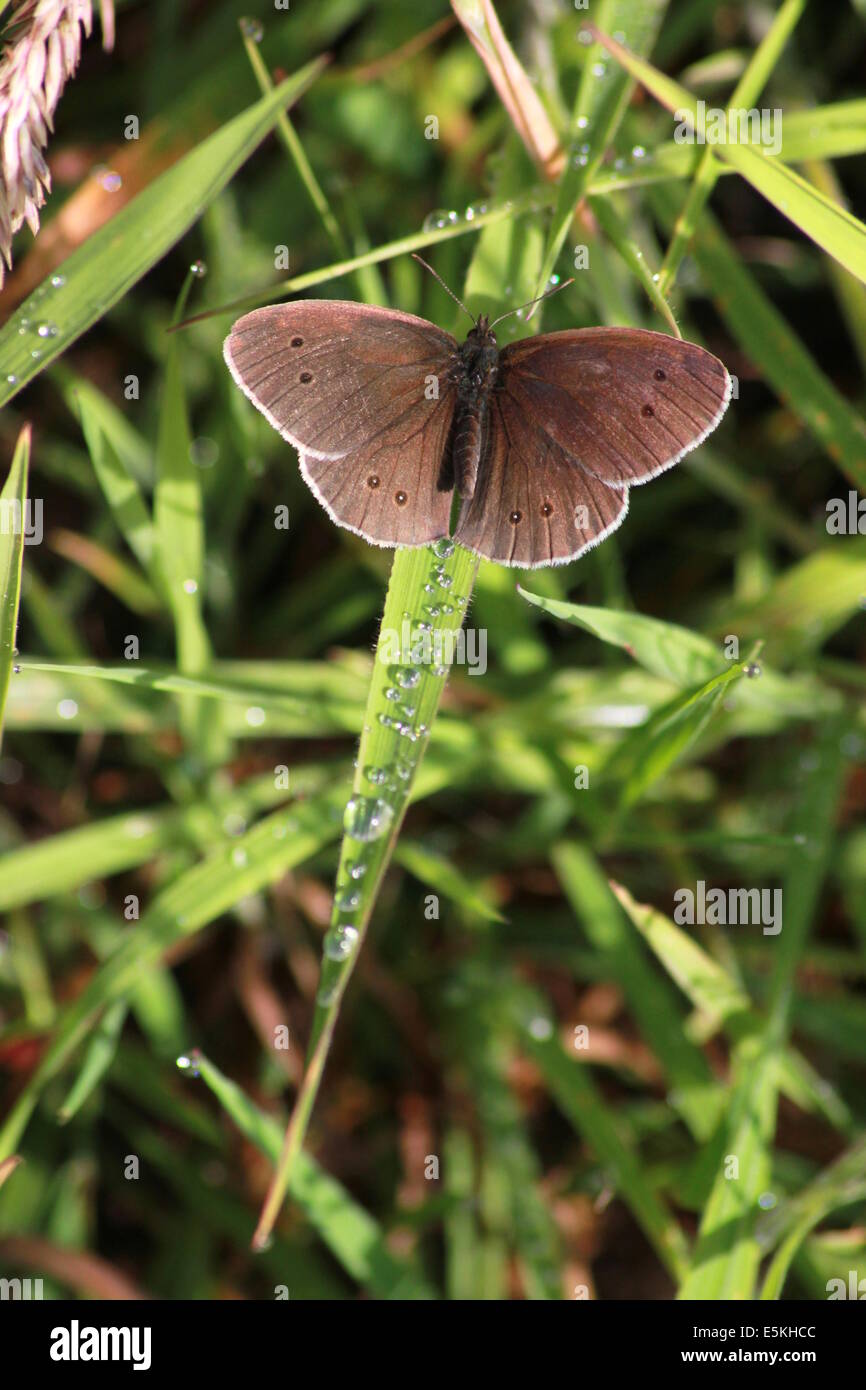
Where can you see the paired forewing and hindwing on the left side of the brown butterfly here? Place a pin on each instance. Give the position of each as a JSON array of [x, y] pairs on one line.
[[368, 398]]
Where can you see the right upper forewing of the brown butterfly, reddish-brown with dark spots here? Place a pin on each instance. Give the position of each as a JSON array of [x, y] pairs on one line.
[[625, 402]]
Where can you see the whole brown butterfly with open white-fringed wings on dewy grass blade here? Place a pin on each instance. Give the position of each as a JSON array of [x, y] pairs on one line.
[[541, 440]]
